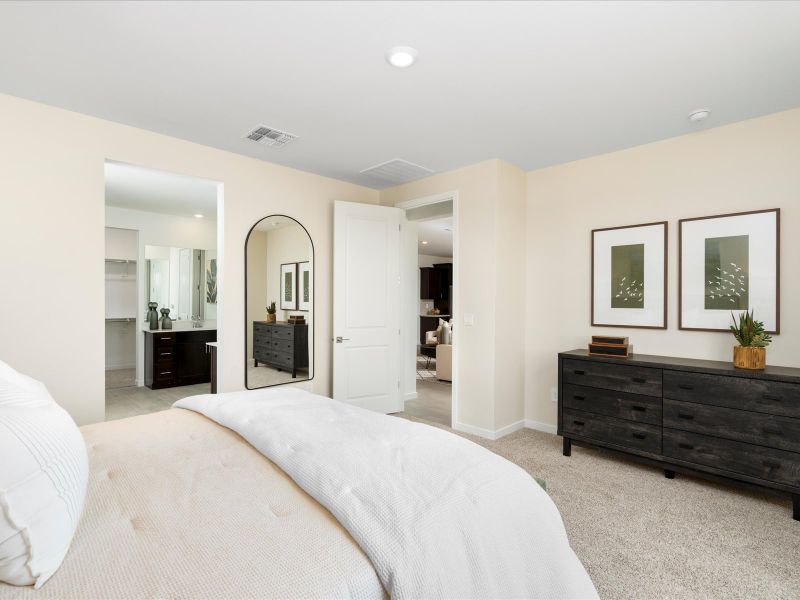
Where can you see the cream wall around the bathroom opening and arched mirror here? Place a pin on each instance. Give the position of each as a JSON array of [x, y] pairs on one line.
[[51, 166]]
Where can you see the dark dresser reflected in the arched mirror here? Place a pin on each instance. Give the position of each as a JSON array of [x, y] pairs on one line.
[[281, 345]]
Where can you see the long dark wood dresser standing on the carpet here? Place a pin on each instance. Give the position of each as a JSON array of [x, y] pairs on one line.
[[689, 416]]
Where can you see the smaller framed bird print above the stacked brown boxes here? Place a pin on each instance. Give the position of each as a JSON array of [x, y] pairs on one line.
[[629, 276]]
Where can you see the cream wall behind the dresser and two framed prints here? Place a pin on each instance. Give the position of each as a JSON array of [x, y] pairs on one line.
[[749, 165]]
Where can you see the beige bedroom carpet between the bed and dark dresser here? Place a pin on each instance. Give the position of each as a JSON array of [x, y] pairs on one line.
[[642, 536]]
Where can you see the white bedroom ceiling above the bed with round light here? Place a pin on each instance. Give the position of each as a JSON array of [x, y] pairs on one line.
[[534, 84]]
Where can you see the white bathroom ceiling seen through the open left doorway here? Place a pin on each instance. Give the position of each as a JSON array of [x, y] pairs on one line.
[[138, 188]]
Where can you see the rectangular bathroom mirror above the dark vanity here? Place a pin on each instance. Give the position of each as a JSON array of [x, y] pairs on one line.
[[183, 280]]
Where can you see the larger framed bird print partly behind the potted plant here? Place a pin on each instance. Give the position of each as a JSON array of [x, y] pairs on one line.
[[729, 264]]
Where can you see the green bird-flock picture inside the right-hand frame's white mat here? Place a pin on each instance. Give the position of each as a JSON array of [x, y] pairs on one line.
[[726, 273]]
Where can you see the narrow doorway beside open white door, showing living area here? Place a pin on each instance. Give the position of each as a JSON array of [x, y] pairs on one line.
[[430, 269]]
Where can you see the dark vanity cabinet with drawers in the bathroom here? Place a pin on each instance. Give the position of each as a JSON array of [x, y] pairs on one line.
[[175, 358]]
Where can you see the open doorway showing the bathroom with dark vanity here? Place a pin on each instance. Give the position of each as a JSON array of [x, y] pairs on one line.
[[162, 273]]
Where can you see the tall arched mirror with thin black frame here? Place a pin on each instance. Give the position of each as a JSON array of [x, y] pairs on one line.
[[279, 298]]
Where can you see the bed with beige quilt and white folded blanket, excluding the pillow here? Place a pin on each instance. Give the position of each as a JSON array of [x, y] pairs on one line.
[[314, 499]]
